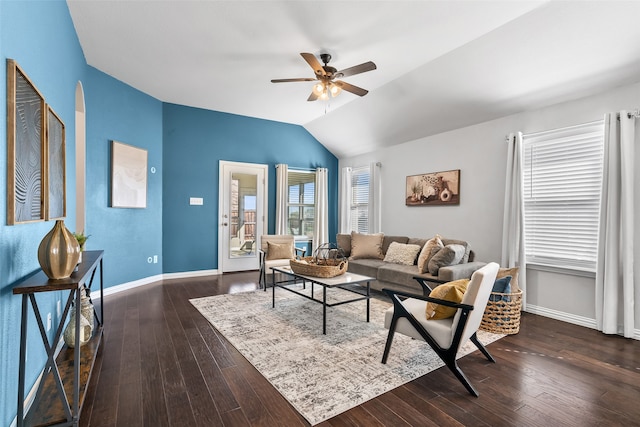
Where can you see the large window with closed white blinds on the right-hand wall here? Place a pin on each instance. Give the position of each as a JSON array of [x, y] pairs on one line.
[[562, 177]]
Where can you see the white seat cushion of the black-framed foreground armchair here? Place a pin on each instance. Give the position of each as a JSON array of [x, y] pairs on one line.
[[440, 330]]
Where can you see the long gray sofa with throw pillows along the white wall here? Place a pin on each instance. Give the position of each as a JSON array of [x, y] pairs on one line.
[[401, 277]]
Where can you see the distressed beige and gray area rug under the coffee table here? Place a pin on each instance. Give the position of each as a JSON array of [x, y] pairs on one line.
[[320, 375]]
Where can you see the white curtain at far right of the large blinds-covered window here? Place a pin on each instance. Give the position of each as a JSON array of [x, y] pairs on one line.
[[614, 272]]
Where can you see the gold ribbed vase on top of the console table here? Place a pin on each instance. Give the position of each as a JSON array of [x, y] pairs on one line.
[[58, 252]]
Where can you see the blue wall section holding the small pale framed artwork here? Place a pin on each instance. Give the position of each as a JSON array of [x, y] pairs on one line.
[[116, 111]]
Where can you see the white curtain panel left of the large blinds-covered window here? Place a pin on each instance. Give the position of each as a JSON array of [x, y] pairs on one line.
[[513, 253]]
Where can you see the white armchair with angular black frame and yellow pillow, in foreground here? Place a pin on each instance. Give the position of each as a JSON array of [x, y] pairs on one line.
[[446, 336]]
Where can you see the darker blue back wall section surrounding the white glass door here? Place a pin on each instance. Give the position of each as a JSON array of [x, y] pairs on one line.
[[195, 140]]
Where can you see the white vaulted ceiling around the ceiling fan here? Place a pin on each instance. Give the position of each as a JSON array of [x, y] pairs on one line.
[[442, 65]]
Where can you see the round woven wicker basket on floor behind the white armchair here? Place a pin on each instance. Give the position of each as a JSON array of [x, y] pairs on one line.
[[502, 316]]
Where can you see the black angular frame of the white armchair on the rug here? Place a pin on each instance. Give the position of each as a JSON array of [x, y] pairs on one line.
[[448, 355]]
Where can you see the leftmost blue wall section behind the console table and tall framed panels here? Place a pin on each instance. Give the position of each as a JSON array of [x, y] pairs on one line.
[[40, 36]]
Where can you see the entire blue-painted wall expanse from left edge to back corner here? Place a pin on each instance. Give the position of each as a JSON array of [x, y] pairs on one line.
[[184, 147]]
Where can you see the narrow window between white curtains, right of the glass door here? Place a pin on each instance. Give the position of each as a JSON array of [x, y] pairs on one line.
[[301, 203]]
